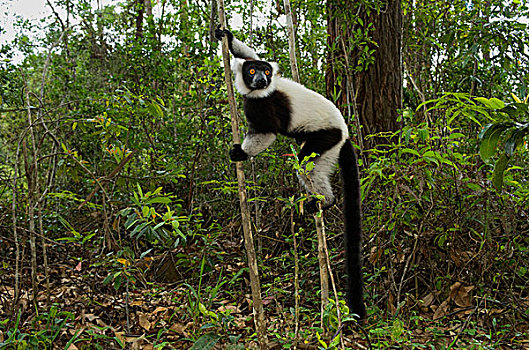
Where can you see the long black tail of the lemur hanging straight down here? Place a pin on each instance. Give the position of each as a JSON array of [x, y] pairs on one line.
[[353, 229]]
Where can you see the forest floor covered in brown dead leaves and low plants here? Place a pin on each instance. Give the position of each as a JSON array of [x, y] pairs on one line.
[[110, 303]]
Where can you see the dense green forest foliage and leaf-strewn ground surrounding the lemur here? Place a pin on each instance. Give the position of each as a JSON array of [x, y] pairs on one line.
[[114, 175]]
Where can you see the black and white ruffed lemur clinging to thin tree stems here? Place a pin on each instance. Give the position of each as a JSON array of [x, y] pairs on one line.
[[276, 105]]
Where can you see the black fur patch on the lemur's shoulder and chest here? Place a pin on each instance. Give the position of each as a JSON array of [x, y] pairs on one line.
[[269, 114]]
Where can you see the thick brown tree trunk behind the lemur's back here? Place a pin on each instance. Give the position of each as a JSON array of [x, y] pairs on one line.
[[374, 90]]
